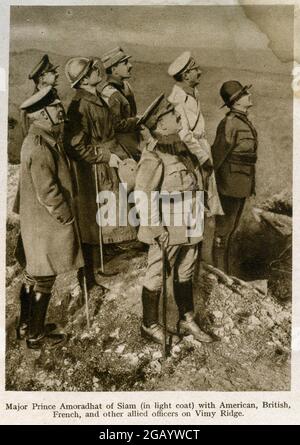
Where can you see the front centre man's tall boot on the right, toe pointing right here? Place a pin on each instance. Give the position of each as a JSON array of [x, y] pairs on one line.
[[183, 294]]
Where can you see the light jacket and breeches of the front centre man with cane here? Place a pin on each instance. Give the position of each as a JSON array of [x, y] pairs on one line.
[[159, 170]]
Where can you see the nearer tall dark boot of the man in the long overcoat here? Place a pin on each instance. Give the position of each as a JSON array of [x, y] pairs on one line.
[[37, 328]]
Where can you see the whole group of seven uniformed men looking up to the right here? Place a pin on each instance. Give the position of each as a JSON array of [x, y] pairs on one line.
[[68, 156]]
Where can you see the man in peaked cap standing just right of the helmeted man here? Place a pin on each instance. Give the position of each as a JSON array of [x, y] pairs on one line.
[[119, 96]]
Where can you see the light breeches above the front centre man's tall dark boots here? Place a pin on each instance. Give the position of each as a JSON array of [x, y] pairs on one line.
[[182, 258]]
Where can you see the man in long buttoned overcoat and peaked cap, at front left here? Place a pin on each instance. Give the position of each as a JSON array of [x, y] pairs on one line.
[[50, 239]]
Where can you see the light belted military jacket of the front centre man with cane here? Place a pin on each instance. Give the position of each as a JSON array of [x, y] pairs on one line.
[[160, 171]]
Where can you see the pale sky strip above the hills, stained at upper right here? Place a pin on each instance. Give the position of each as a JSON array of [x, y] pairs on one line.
[[70, 30]]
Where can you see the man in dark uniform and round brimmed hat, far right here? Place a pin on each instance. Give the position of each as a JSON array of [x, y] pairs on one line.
[[235, 153]]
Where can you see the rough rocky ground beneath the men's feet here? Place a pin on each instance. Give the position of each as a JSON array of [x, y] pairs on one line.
[[251, 321]]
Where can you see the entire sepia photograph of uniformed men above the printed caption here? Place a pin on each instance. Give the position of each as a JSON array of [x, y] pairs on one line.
[[149, 198]]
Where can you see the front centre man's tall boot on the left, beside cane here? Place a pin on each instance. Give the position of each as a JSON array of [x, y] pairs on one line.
[[150, 327]]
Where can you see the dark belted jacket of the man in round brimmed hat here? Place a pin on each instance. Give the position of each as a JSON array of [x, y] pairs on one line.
[[234, 152]]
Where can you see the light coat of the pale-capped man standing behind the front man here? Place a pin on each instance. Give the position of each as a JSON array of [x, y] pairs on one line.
[[187, 103]]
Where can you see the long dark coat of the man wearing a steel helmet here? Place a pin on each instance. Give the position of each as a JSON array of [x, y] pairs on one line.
[[89, 141]]
